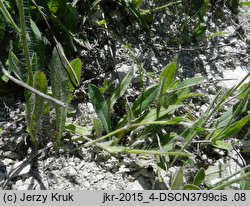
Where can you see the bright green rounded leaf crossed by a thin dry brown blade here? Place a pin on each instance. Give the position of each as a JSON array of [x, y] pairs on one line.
[[77, 67]]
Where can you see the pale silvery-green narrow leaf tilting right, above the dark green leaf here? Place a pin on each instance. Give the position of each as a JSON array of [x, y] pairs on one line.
[[122, 87]]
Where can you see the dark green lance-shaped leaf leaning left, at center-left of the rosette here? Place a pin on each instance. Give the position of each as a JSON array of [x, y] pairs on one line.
[[100, 106]]
